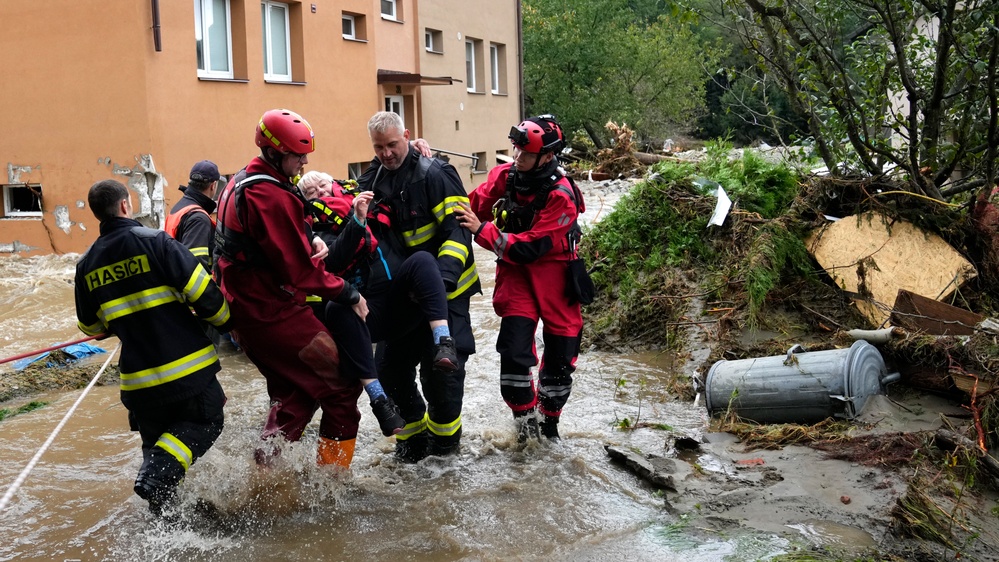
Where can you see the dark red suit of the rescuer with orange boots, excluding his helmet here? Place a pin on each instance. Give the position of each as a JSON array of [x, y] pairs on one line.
[[266, 271]]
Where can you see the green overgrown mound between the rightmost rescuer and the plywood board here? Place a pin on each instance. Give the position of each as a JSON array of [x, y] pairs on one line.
[[658, 231]]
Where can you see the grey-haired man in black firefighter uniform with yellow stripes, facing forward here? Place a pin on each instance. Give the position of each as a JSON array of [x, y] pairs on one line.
[[414, 204]]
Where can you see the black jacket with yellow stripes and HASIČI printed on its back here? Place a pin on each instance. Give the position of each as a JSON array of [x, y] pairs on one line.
[[141, 285]]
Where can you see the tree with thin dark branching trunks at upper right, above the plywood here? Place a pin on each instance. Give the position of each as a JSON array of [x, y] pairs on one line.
[[887, 85]]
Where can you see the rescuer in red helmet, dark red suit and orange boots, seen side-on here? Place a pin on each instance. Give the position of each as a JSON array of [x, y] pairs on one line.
[[268, 263]]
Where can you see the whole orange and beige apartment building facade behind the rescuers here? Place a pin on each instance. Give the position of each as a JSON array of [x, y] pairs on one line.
[[86, 97]]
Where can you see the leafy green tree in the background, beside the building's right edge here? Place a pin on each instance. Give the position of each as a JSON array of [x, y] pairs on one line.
[[594, 61]]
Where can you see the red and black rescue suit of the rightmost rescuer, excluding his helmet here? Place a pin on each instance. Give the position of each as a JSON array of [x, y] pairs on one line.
[[531, 277]]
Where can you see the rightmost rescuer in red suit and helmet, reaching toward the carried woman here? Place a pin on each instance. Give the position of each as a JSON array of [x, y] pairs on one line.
[[525, 213]]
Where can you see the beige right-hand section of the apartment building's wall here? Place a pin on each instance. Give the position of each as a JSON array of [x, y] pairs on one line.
[[454, 118]]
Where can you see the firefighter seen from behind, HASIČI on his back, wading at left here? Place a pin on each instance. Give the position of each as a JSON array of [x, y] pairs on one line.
[[140, 285]]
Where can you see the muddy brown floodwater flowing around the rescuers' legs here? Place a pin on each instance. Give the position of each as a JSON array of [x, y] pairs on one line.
[[494, 501]]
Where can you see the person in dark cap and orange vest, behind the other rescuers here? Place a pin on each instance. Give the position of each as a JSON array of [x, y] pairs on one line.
[[190, 221]]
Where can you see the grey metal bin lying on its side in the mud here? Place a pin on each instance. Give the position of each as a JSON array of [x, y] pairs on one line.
[[803, 387]]
